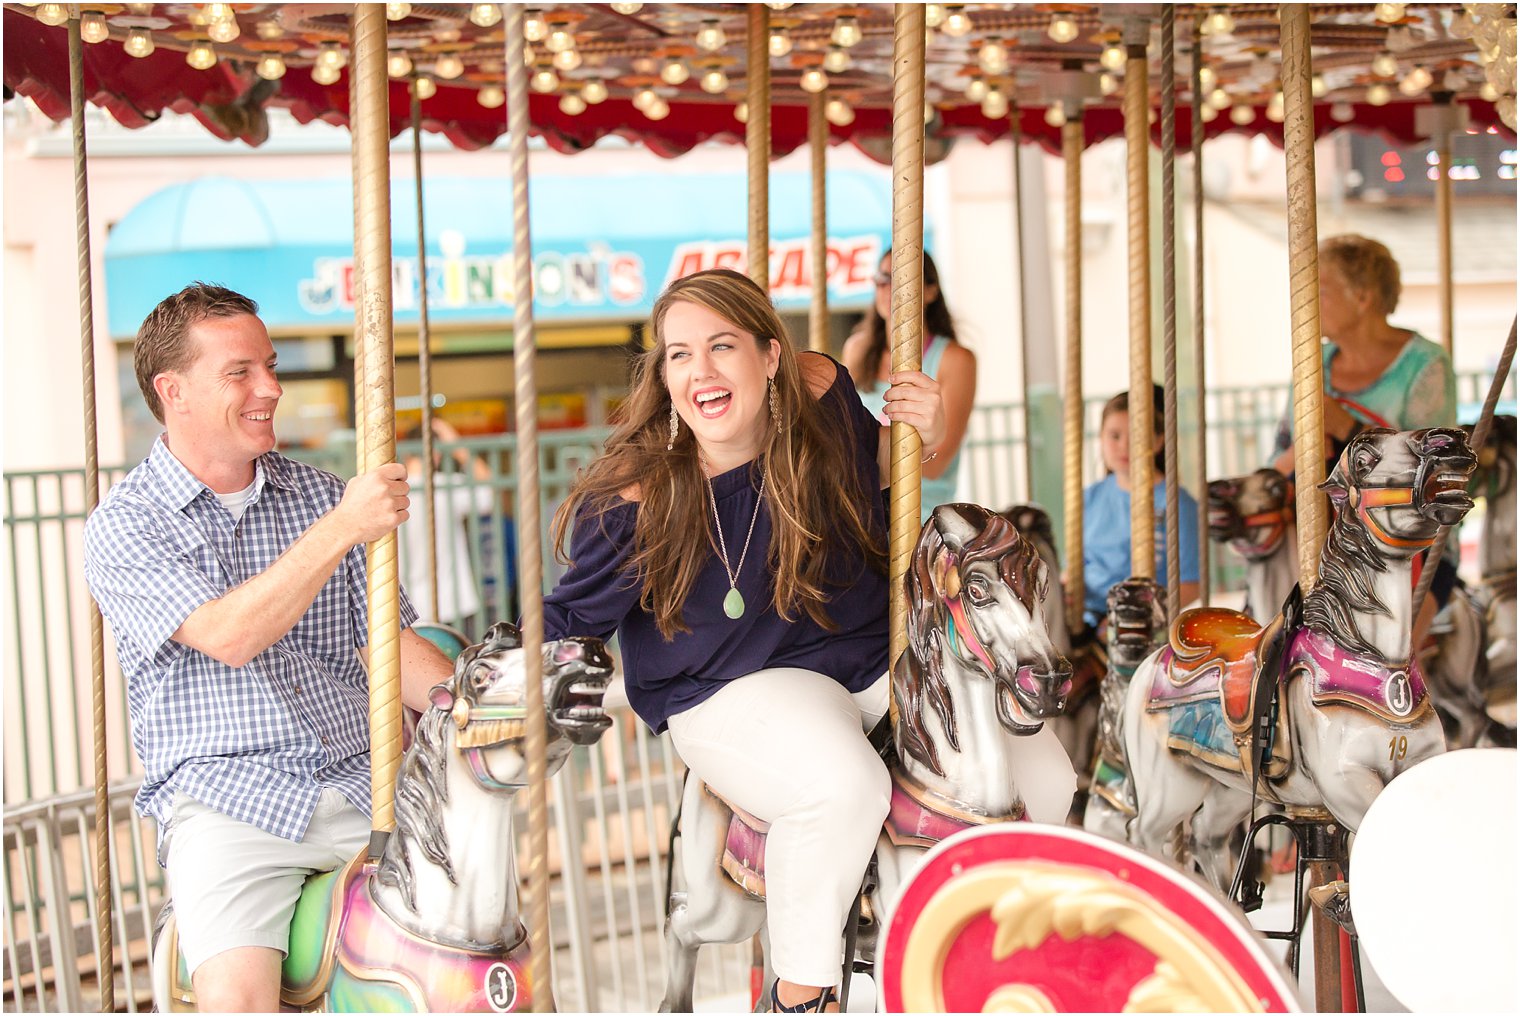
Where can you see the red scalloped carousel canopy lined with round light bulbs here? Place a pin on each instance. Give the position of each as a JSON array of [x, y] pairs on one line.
[[674, 75]]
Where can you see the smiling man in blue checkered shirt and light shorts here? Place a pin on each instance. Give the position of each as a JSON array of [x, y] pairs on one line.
[[235, 585]]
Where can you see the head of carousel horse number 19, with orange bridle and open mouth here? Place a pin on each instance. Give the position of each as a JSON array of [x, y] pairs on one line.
[[1402, 487]]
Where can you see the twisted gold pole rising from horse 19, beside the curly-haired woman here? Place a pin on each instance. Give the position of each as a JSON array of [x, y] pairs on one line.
[[1303, 267]]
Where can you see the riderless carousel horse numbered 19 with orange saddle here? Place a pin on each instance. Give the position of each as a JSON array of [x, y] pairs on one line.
[[1323, 706]]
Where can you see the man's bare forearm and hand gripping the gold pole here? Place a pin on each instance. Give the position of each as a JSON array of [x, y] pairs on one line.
[[239, 626]]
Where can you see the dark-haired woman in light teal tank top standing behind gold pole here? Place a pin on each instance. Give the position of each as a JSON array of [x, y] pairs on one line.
[[869, 357]]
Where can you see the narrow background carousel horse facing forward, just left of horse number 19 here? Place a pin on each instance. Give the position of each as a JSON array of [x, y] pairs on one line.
[[1136, 626]]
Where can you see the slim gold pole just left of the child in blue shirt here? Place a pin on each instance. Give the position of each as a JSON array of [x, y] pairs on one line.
[[1072, 411]]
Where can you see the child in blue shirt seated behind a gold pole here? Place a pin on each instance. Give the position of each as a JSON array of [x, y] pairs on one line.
[[1106, 516]]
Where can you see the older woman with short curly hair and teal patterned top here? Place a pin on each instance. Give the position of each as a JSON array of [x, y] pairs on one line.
[[1375, 373]]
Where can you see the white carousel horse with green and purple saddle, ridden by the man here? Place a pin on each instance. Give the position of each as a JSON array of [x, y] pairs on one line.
[[434, 924]]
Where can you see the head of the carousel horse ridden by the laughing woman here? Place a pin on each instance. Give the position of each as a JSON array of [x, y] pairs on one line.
[[977, 592]]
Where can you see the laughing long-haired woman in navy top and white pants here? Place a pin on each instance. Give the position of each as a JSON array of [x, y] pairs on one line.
[[733, 535]]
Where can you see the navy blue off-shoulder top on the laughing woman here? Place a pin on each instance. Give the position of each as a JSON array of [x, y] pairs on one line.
[[601, 594]]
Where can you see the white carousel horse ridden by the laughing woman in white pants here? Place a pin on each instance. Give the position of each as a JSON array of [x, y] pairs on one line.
[[978, 678]]
